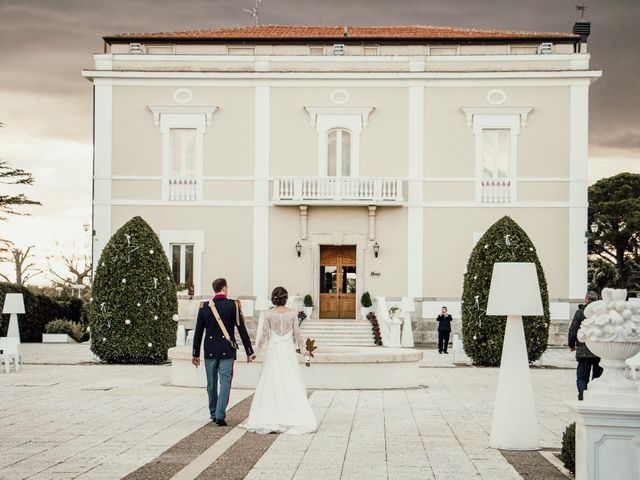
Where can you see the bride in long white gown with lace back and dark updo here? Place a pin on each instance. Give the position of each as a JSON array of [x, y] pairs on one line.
[[280, 402]]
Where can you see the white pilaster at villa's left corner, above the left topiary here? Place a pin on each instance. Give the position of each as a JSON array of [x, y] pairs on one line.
[[102, 142]]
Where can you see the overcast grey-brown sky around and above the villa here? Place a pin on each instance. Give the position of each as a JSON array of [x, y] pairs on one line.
[[46, 105]]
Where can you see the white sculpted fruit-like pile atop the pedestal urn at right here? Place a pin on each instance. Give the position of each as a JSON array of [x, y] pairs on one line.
[[612, 319]]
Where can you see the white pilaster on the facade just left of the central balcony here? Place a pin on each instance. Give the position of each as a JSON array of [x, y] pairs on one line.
[[261, 193]]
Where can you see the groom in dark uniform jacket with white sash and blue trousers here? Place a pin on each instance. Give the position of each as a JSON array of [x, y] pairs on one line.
[[219, 346]]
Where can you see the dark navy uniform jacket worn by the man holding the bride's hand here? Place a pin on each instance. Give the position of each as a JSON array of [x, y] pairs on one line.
[[215, 345]]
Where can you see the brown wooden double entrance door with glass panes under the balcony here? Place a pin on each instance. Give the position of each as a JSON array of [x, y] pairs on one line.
[[338, 281]]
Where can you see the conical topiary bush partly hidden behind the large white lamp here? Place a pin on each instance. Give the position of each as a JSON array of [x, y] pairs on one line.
[[483, 335]]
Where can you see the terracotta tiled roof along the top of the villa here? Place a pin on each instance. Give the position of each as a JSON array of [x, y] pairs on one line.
[[291, 32]]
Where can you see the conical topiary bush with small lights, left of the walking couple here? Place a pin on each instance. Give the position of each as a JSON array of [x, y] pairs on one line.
[[134, 298]]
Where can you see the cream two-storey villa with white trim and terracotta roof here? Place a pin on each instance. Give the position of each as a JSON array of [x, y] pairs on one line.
[[339, 160]]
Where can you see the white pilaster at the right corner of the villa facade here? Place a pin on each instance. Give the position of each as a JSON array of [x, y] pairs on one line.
[[578, 202]]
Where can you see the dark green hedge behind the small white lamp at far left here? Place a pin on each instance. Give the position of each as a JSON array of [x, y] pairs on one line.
[[40, 309]]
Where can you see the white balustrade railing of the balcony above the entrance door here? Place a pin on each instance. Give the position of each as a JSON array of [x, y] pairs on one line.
[[338, 189]]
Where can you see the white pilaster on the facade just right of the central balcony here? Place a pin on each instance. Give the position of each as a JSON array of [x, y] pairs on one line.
[[415, 216]]
